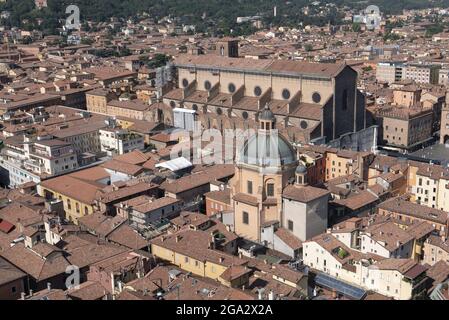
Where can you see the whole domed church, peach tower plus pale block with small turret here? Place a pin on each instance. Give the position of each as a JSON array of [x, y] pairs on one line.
[[270, 187]]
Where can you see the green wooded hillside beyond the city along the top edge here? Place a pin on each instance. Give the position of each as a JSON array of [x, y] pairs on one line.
[[217, 13]]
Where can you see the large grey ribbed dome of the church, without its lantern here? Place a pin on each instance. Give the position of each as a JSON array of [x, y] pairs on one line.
[[267, 150]]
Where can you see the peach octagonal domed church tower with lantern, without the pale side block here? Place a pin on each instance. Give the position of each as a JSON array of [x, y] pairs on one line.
[[260, 176]]
